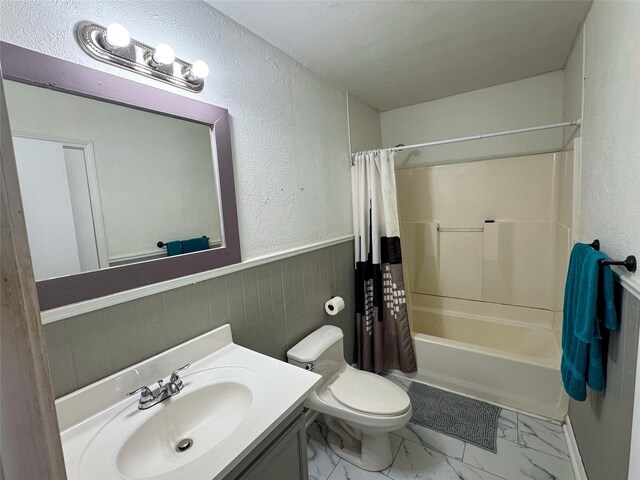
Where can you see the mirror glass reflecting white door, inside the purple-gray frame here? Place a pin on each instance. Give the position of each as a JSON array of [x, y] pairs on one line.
[[106, 185]]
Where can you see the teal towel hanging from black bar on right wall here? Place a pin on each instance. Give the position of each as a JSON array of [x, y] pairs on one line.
[[588, 297]]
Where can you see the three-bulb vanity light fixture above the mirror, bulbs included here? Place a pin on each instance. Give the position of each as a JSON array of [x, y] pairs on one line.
[[113, 45]]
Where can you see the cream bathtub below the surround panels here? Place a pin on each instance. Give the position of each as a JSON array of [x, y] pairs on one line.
[[500, 353]]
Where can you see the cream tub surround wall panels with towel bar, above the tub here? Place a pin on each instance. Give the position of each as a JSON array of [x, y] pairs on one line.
[[494, 231]]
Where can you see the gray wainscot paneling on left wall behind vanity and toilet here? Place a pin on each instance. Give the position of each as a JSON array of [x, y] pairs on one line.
[[270, 308]]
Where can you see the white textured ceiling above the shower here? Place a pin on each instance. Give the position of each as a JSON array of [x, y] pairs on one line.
[[396, 53]]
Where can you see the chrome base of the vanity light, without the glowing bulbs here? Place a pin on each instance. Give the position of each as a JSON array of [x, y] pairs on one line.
[[135, 57]]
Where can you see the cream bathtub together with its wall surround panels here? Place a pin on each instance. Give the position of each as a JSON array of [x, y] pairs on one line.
[[487, 280]]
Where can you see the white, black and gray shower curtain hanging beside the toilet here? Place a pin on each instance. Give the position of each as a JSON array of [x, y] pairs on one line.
[[382, 324]]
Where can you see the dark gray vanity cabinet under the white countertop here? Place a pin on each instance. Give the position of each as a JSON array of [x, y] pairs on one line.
[[282, 455]]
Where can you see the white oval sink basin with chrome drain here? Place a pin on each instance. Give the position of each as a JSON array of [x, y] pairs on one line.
[[142, 444]]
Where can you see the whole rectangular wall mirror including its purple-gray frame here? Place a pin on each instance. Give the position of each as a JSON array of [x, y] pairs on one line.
[[113, 173]]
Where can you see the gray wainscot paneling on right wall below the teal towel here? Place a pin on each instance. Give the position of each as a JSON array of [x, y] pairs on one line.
[[602, 423]]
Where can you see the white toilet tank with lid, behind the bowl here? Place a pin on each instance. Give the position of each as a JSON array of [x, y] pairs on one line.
[[321, 351]]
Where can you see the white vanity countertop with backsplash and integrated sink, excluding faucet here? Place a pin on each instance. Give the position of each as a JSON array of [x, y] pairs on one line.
[[105, 436]]
